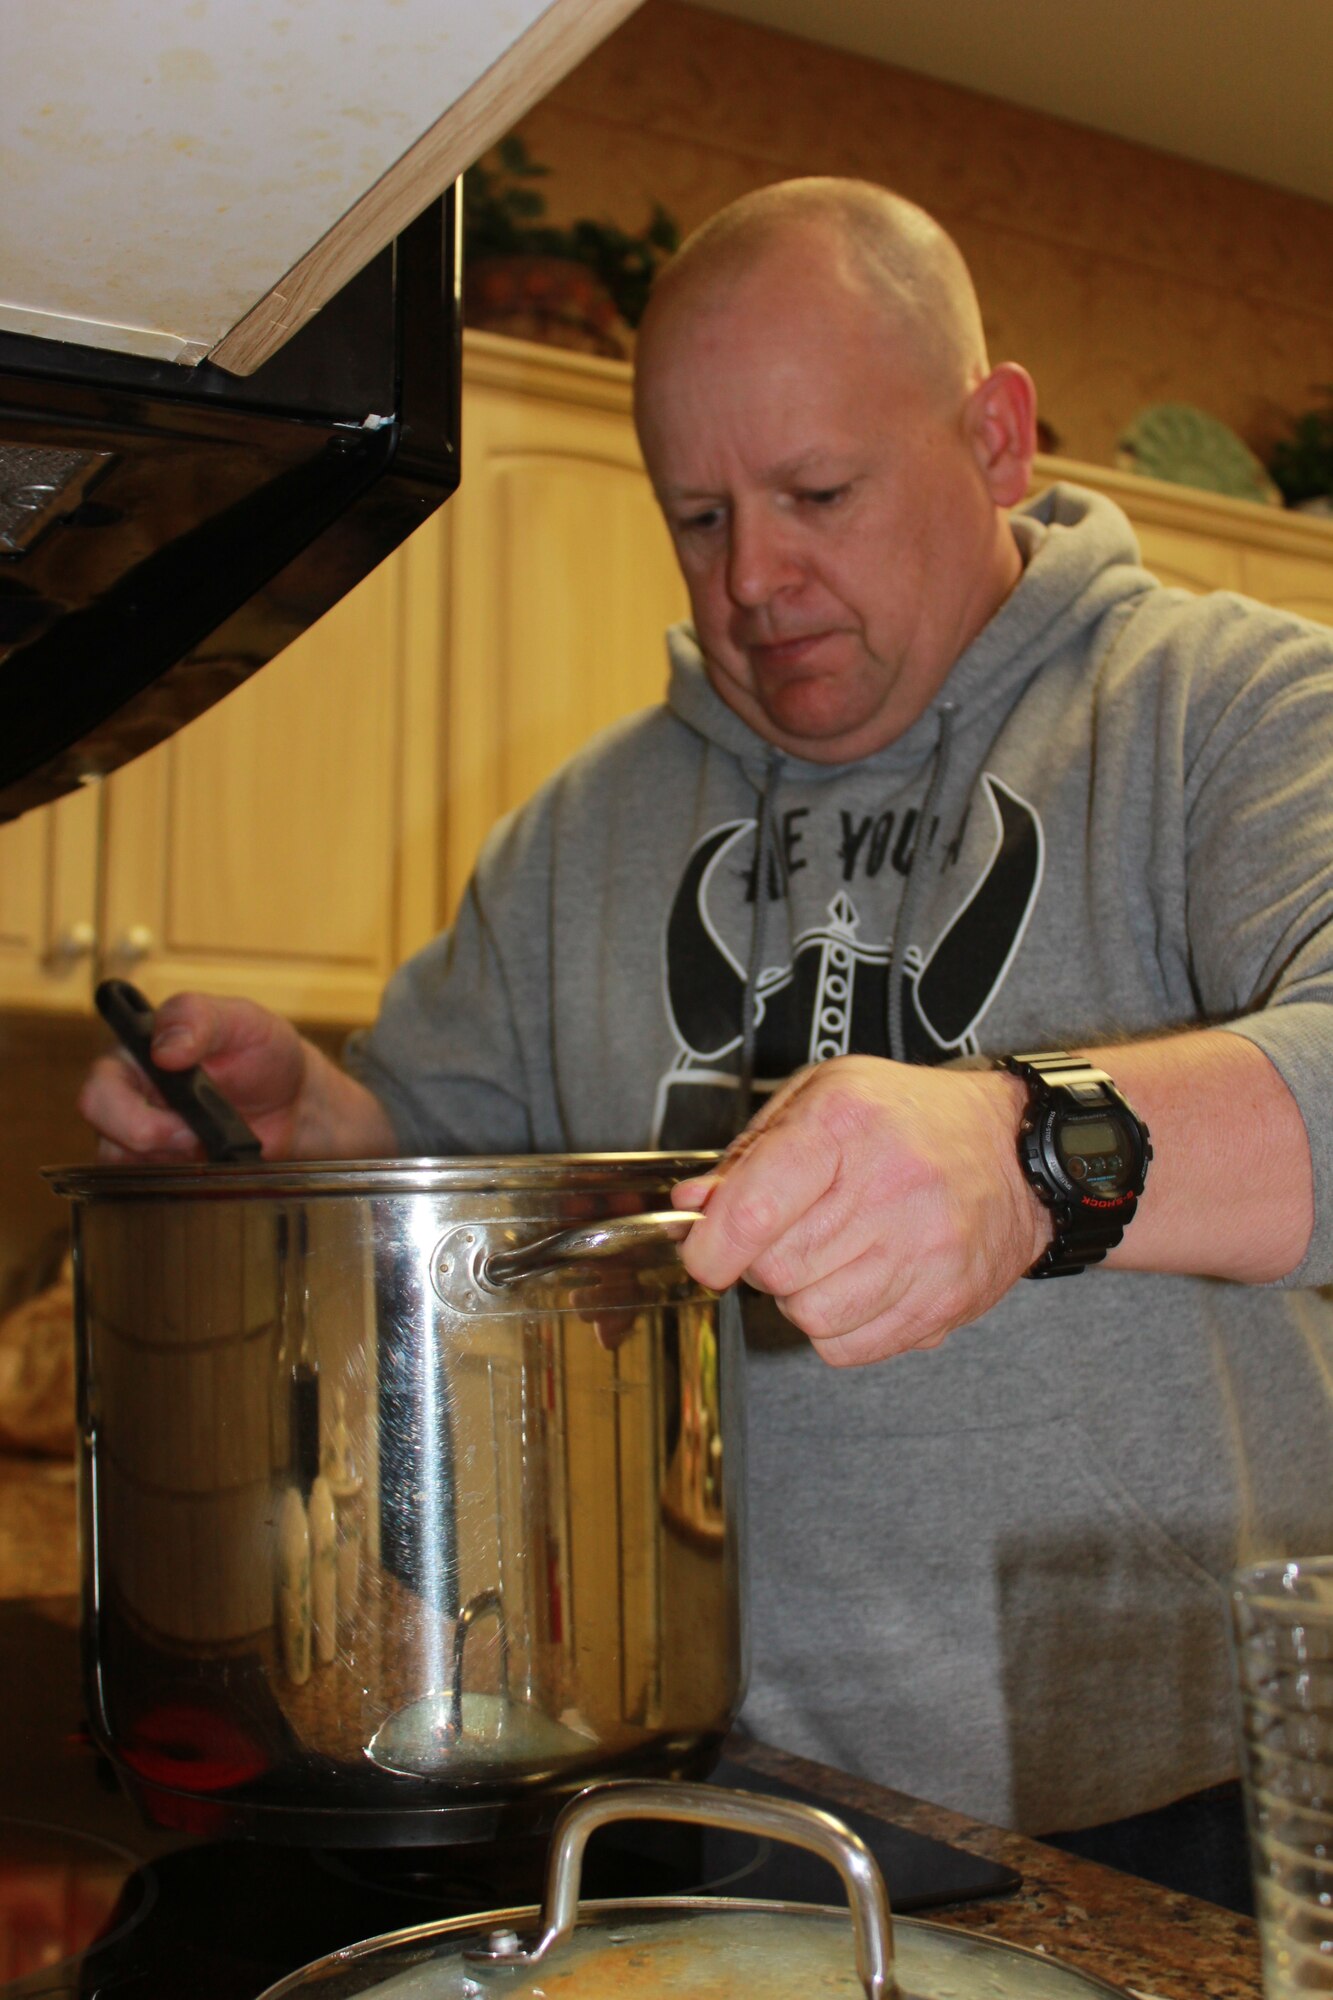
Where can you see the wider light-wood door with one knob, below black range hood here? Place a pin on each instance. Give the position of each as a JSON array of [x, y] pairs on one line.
[[257, 851]]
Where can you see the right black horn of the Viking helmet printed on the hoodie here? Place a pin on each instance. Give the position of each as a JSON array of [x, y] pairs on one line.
[[972, 955]]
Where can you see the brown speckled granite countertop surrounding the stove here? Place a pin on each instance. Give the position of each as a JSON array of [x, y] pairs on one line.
[[1130, 1933]]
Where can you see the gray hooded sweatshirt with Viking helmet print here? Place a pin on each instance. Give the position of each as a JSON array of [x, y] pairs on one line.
[[992, 1573]]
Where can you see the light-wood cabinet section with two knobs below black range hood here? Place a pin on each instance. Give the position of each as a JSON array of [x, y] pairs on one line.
[[281, 847]]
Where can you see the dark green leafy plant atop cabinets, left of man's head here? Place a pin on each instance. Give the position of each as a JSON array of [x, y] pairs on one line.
[[503, 217]]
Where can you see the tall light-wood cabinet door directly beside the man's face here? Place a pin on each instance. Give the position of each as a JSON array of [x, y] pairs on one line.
[[563, 587]]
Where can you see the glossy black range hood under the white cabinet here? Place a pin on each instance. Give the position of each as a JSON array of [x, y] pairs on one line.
[[165, 531]]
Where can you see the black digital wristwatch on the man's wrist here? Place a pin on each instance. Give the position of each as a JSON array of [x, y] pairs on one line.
[[1084, 1153]]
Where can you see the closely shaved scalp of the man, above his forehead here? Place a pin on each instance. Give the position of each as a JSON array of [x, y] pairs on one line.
[[846, 235]]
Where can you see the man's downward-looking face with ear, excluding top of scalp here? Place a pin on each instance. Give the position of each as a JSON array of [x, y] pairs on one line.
[[826, 503]]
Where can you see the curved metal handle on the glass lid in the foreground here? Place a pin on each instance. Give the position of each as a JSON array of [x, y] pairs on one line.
[[744, 1813]]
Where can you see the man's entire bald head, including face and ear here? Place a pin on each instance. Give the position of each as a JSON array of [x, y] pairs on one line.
[[834, 459]]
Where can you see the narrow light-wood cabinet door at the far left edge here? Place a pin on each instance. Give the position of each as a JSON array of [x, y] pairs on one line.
[[49, 869]]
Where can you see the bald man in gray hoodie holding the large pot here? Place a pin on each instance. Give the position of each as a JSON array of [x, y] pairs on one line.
[[936, 783]]
